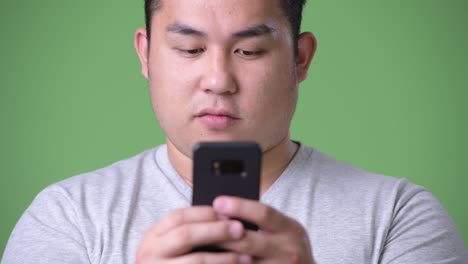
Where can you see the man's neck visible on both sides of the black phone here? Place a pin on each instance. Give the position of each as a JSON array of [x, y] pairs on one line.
[[274, 162]]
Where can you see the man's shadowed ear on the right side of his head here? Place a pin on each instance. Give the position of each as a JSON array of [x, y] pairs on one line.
[[306, 46]]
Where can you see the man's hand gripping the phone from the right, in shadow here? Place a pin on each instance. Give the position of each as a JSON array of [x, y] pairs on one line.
[[280, 239]]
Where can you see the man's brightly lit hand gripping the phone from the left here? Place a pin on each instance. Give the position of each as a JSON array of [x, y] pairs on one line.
[[172, 239]]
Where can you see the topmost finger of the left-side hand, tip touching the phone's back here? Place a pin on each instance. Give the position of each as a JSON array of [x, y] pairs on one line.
[[182, 216]]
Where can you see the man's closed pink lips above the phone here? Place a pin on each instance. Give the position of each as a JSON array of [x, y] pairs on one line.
[[217, 119]]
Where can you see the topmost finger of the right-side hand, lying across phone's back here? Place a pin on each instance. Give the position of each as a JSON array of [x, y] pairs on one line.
[[264, 216]]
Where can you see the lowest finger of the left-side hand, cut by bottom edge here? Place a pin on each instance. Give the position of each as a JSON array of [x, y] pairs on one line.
[[213, 258]]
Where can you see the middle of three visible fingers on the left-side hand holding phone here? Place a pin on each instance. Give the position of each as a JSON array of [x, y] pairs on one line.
[[183, 239]]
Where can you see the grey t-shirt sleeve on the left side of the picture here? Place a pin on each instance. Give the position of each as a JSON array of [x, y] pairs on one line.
[[47, 232]]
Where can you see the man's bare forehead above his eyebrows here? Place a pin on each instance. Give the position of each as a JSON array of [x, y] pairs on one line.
[[218, 15]]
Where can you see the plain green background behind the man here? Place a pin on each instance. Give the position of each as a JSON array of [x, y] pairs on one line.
[[386, 92]]
